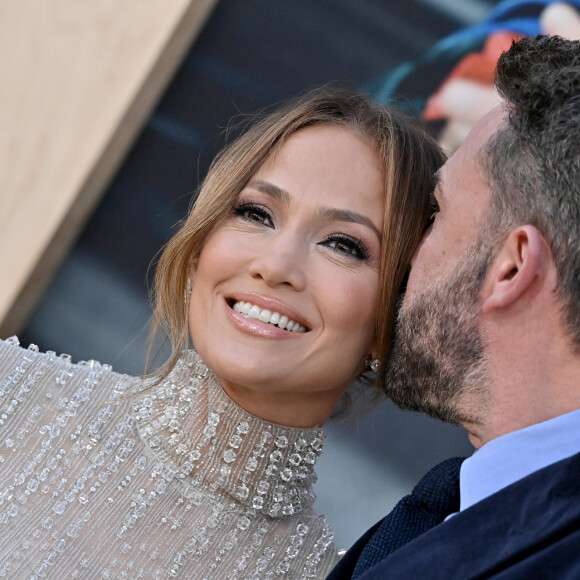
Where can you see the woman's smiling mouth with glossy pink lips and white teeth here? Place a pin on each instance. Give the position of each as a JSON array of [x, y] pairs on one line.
[[265, 316]]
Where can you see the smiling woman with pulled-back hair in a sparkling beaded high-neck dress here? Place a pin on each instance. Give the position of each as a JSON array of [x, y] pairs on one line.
[[285, 277]]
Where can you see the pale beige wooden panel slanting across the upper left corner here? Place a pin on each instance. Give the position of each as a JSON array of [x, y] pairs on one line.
[[78, 78]]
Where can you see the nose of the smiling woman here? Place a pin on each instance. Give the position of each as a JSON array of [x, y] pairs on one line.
[[281, 262]]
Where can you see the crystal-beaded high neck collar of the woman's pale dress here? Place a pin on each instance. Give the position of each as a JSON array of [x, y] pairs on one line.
[[216, 448]]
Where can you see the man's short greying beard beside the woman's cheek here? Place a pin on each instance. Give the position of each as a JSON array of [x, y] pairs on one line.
[[437, 365]]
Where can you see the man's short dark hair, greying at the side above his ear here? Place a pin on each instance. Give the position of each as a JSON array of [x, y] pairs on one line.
[[533, 161]]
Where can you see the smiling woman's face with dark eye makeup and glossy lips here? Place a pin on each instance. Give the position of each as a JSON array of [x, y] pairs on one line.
[[284, 297]]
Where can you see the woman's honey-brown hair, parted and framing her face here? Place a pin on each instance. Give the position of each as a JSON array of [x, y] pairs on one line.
[[410, 158]]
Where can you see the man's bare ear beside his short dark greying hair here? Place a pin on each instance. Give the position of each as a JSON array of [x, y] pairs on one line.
[[515, 267]]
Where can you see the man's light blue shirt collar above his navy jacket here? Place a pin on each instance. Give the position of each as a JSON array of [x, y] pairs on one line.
[[516, 455]]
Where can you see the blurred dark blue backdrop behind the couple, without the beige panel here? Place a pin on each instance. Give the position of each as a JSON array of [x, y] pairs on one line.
[[249, 55]]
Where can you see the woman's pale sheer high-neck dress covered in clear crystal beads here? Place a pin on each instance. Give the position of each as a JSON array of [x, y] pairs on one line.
[[176, 481]]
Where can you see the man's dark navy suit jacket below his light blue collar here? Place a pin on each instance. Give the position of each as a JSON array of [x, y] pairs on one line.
[[530, 529]]
